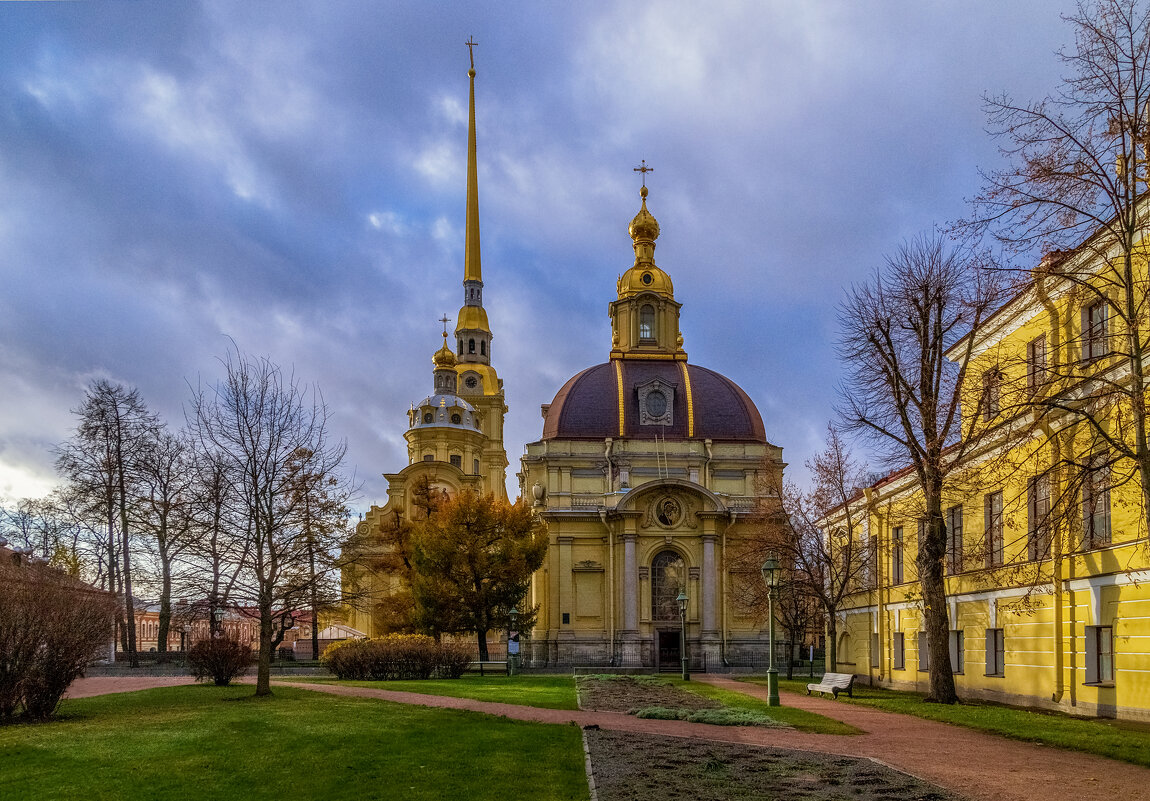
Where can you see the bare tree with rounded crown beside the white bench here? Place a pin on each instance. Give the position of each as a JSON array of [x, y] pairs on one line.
[[906, 395]]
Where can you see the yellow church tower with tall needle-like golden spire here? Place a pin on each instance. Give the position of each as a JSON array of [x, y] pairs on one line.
[[455, 435]]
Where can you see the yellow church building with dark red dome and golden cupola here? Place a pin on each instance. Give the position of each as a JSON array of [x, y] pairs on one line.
[[646, 472]]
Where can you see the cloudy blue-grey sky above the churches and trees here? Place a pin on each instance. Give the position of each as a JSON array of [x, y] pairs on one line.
[[292, 176]]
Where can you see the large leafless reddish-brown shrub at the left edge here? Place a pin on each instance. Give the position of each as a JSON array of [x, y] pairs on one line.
[[52, 627]]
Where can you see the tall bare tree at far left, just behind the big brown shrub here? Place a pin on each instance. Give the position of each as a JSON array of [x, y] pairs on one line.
[[102, 461]]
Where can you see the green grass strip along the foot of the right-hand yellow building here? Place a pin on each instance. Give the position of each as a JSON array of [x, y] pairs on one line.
[[1117, 740]]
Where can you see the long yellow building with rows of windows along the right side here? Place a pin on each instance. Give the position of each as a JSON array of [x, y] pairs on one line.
[[1048, 573]]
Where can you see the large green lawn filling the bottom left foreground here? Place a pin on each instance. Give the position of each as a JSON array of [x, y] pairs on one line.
[[211, 743]]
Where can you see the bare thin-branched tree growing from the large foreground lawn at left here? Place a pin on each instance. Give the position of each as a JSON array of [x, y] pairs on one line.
[[262, 421]]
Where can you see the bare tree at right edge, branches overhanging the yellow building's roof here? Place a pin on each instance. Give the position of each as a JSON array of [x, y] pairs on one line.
[[1078, 170]]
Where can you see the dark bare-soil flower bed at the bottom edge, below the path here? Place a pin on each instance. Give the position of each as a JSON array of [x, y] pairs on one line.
[[631, 767]]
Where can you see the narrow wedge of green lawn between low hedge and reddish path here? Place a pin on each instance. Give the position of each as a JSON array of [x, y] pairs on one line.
[[545, 691]]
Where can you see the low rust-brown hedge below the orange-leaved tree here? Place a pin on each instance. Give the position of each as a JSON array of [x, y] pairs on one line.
[[396, 657]]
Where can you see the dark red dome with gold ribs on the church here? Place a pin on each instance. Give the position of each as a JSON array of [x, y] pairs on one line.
[[706, 405]]
